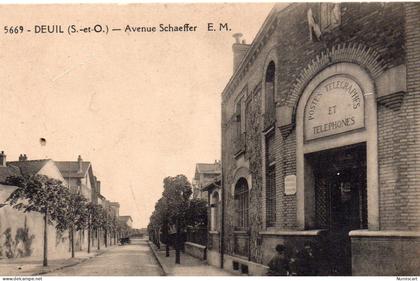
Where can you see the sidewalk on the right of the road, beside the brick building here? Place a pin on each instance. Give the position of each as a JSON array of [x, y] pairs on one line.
[[189, 266]]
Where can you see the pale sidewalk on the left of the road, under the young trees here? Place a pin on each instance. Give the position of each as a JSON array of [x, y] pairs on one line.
[[33, 265]]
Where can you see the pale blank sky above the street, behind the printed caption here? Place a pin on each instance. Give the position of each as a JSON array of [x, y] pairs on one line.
[[138, 106]]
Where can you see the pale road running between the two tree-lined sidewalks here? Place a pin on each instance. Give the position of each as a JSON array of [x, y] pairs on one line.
[[128, 260]]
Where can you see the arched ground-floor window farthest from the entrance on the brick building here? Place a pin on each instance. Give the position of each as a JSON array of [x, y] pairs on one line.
[[241, 204]]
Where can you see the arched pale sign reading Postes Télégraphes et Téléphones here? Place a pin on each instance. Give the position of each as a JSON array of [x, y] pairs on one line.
[[335, 106]]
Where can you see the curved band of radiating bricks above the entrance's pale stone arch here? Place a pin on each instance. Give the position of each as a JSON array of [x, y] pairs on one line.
[[356, 53]]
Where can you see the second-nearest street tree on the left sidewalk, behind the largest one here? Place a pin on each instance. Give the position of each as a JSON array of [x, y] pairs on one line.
[[76, 216]]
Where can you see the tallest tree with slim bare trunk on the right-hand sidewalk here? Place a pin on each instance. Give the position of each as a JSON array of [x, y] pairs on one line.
[[177, 191]]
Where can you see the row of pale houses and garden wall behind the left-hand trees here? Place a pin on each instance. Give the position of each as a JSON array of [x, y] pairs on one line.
[[21, 233]]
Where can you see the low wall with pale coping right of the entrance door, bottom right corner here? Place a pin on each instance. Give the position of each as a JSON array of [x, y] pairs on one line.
[[385, 253]]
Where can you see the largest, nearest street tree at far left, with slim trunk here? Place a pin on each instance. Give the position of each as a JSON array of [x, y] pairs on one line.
[[39, 193]]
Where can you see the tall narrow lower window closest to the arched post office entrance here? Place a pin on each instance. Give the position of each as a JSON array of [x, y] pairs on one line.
[[270, 181]]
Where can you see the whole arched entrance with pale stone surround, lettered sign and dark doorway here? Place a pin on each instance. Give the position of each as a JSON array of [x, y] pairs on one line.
[[336, 158]]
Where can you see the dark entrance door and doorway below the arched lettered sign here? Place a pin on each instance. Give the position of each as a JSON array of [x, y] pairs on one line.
[[340, 200]]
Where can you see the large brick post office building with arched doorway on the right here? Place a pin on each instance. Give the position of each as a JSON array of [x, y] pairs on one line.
[[320, 127]]
